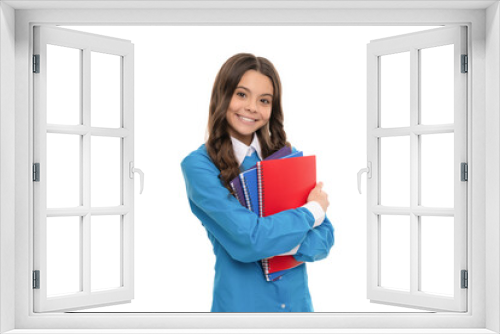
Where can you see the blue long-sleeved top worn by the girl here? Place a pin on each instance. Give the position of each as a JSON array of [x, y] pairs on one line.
[[241, 239]]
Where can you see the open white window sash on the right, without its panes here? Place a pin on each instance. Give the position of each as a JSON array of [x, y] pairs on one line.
[[412, 44]]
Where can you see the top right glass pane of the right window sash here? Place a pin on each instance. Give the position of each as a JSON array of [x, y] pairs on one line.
[[437, 85]]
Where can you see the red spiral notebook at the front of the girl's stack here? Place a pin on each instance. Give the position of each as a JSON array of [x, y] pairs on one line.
[[284, 184]]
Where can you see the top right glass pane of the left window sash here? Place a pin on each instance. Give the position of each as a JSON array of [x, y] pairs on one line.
[[105, 90]]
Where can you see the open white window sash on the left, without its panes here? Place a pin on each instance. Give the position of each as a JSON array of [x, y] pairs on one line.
[[86, 43]]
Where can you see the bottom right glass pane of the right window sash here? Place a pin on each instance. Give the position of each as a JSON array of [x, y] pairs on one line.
[[437, 260]]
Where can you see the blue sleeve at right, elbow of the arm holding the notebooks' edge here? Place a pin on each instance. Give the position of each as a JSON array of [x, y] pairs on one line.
[[317, 244]]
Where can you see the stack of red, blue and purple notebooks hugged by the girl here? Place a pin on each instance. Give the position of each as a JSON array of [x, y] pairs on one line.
[[280, 182]]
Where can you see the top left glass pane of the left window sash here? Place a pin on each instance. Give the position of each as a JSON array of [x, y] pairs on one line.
[[63, 85]]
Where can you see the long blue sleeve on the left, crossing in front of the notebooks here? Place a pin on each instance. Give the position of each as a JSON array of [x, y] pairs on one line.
[[245, 236]]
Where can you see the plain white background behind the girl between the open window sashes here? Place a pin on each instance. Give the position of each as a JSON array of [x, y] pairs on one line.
[[323, 73]]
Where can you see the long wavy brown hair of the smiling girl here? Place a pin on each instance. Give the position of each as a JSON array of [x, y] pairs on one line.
[[272, 136]]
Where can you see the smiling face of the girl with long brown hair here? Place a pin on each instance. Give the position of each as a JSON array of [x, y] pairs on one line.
[[250, 106]]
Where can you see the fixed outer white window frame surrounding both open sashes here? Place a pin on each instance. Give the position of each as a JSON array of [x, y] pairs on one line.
[[483, 21]]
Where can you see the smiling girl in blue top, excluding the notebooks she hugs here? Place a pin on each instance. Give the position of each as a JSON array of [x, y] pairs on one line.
[[245, 125]]
